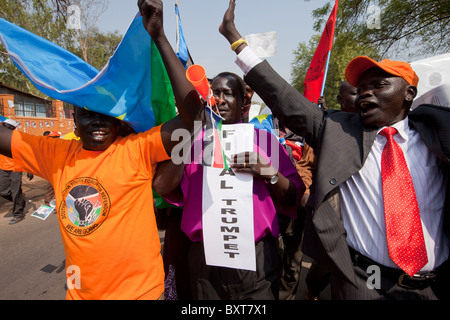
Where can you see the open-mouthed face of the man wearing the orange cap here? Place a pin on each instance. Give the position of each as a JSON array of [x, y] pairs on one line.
[[382, 99]]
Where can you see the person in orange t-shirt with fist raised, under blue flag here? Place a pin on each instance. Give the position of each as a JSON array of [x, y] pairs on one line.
[[103, 187]]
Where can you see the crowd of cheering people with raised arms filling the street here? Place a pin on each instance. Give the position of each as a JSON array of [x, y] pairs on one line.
[[361, 187]]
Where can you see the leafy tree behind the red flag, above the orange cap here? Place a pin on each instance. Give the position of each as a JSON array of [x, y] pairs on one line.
[[421, 25]]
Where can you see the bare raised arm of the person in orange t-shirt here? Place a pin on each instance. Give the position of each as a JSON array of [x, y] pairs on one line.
[[189, 105]]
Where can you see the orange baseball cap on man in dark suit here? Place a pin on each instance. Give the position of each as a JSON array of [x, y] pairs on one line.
[[360, 64]]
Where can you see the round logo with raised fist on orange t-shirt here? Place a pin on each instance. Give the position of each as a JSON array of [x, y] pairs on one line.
[[85, 207]]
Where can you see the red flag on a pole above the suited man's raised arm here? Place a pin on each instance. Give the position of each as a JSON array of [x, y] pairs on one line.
[[315, 76]]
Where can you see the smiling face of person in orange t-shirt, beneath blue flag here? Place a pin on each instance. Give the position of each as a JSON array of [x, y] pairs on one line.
[[96, 131]]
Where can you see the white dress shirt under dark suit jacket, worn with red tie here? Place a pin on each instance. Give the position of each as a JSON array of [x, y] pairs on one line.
[[362, 196]]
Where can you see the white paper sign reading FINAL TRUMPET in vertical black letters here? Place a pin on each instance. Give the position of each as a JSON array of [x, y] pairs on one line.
[[227, 203]]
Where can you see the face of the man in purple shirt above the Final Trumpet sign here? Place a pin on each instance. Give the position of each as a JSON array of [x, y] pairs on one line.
[[229, 106]]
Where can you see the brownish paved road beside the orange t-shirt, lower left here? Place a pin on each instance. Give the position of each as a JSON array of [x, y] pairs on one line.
[[32, 259]]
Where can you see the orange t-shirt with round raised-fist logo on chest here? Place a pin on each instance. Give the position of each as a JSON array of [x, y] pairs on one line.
[[105, 210]]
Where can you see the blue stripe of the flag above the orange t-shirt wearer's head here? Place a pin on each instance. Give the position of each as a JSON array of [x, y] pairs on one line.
[[122, 89]]
